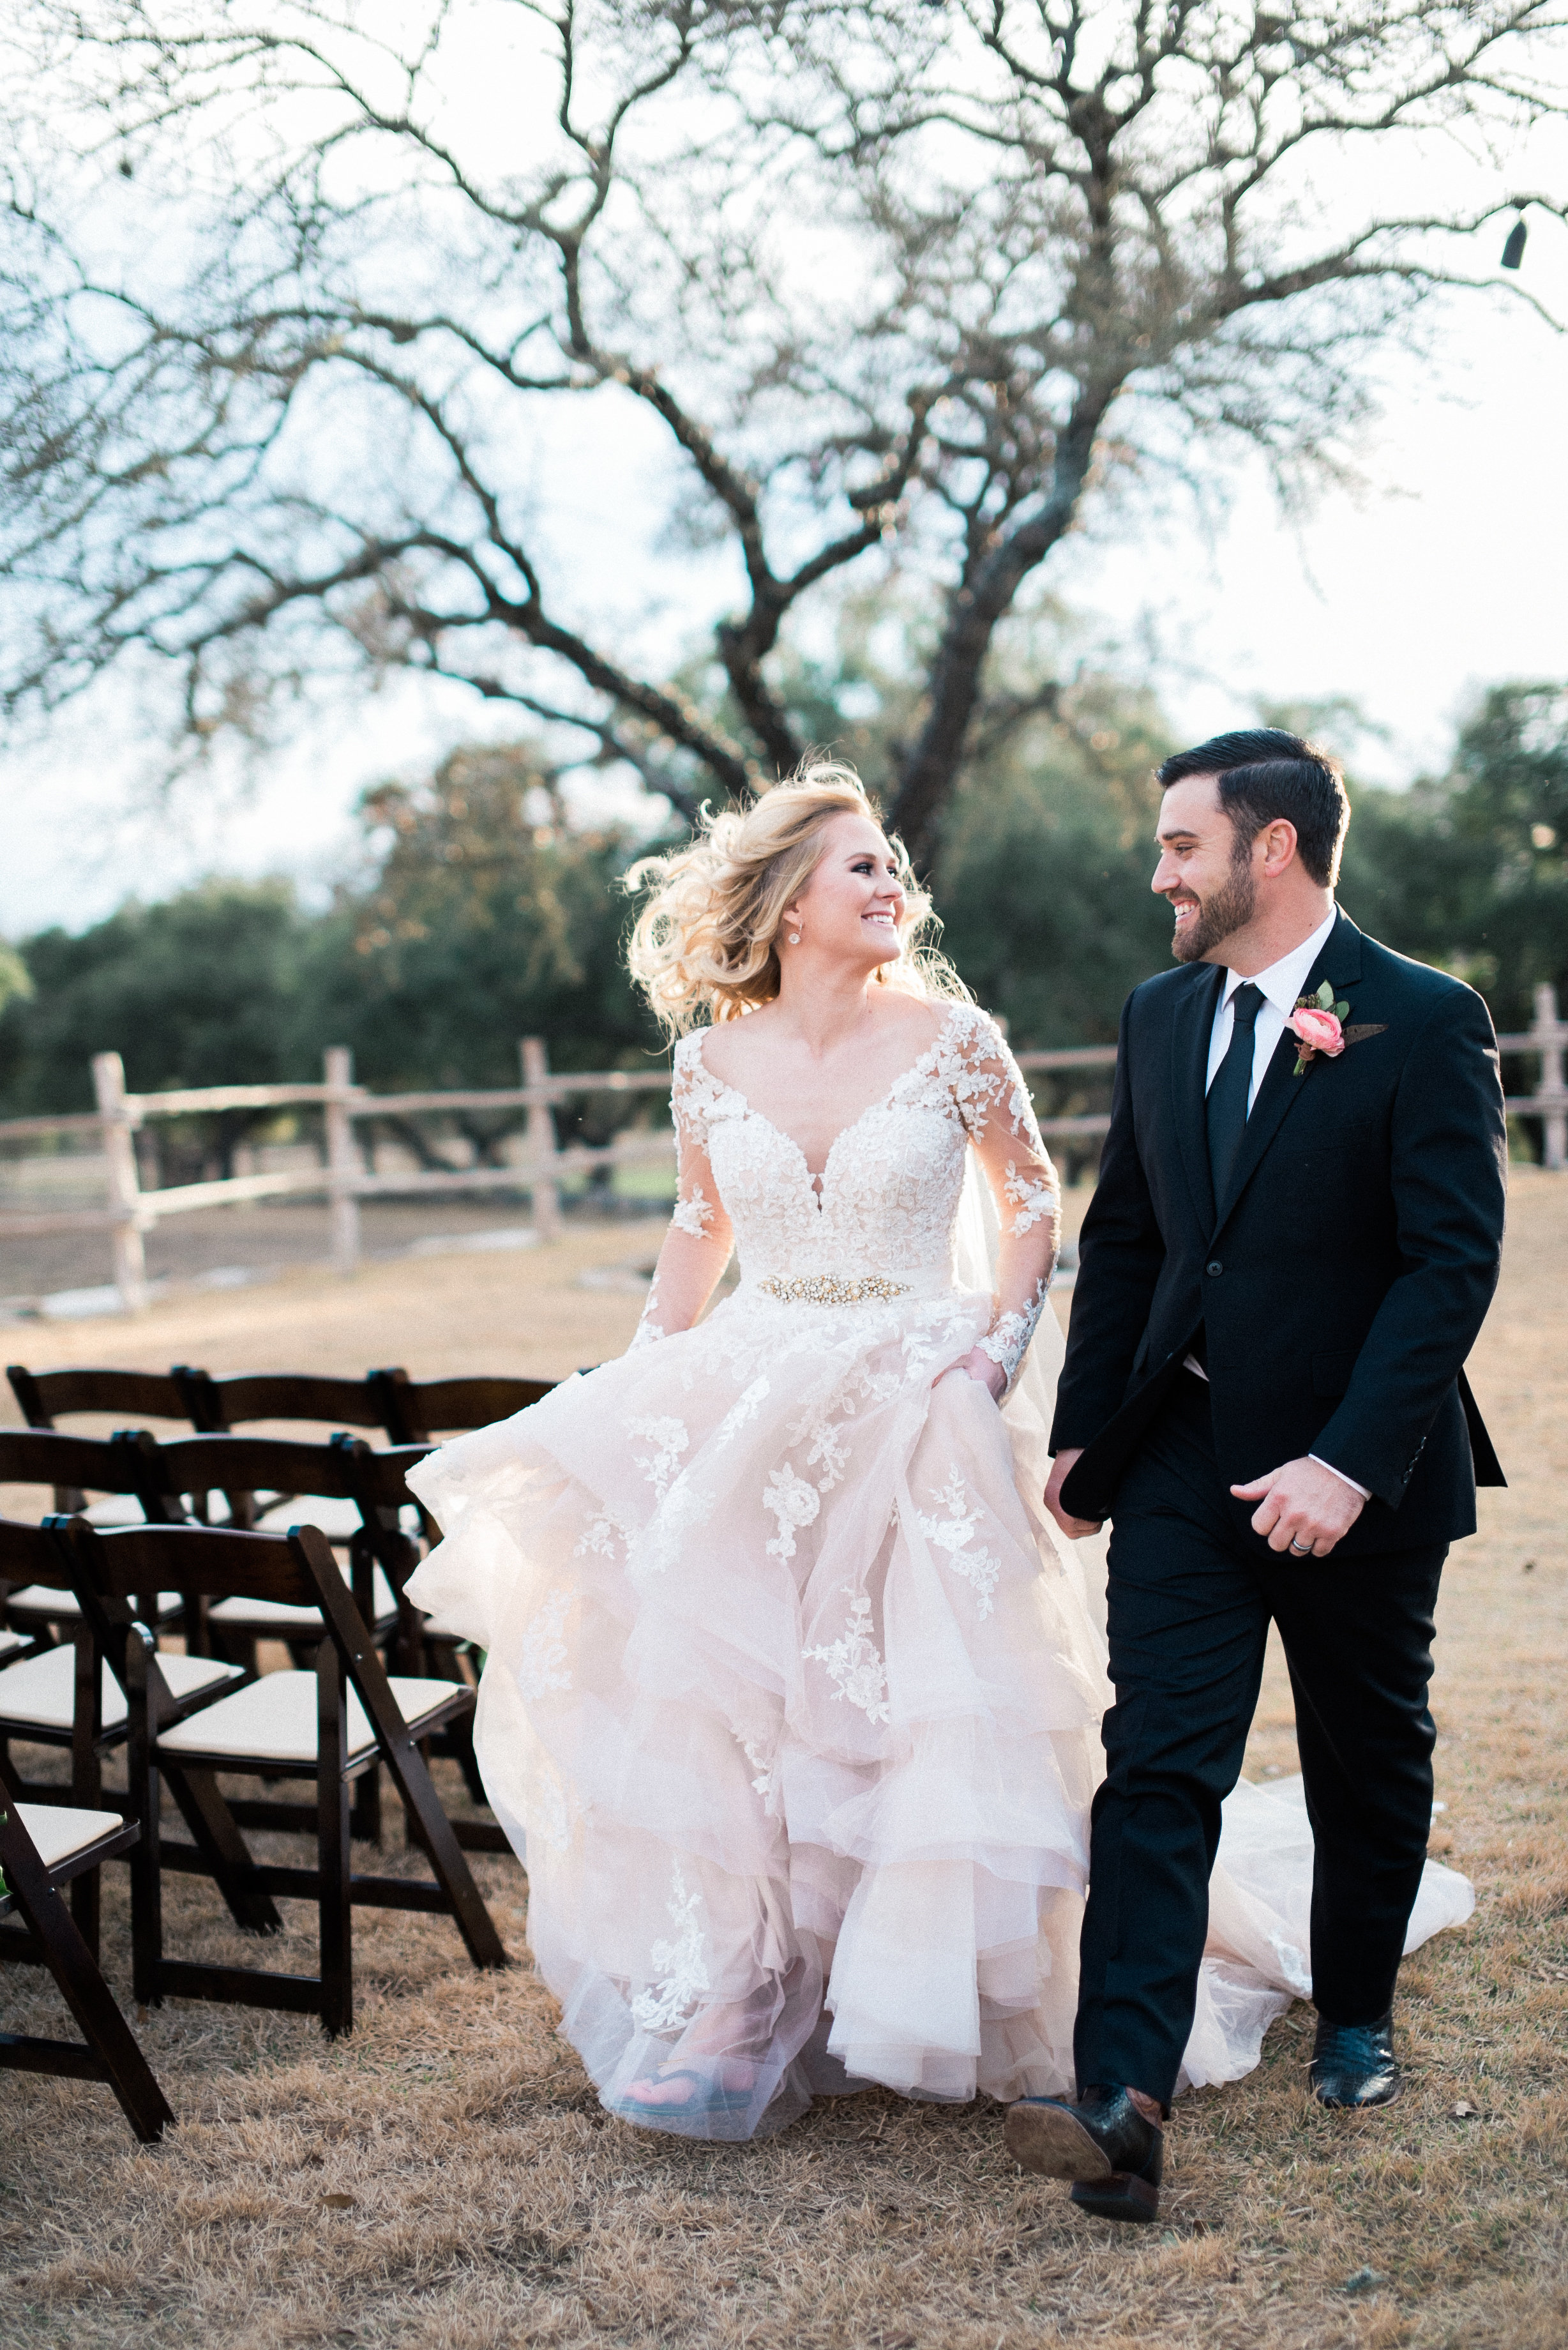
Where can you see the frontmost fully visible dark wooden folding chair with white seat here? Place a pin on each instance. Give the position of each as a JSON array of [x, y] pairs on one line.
[[328, 1726]]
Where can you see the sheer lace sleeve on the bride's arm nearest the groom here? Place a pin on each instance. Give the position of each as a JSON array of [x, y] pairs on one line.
[[1000, 1122]]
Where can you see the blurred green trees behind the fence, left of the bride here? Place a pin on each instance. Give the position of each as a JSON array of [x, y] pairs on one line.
[[485, 920]]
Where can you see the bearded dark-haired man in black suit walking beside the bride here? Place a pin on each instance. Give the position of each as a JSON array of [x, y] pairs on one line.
[[1287, 1261]]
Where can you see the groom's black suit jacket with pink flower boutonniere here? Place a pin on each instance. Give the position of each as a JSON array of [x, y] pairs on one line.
[[1339, 1282]]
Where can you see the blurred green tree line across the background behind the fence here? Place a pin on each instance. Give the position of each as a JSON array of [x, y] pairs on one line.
[[481, 913]]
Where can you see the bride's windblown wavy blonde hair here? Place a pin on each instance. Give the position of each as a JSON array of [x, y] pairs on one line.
[[704, 946]]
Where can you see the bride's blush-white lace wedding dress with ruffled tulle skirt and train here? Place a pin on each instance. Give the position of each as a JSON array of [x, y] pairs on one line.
[[793, 1691]]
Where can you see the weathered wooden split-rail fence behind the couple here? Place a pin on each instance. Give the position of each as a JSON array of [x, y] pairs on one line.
[[130, 1214]]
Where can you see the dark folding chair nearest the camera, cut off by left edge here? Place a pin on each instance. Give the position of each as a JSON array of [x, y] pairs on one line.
[[39, 1853]]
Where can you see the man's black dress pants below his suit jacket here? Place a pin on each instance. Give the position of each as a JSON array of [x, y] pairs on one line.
[[1191, 1606]]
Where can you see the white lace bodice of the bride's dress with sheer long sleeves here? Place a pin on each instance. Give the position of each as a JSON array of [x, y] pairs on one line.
[[890, 1195]]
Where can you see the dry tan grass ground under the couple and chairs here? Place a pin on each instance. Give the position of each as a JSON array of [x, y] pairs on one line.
[[445, 2180]]
